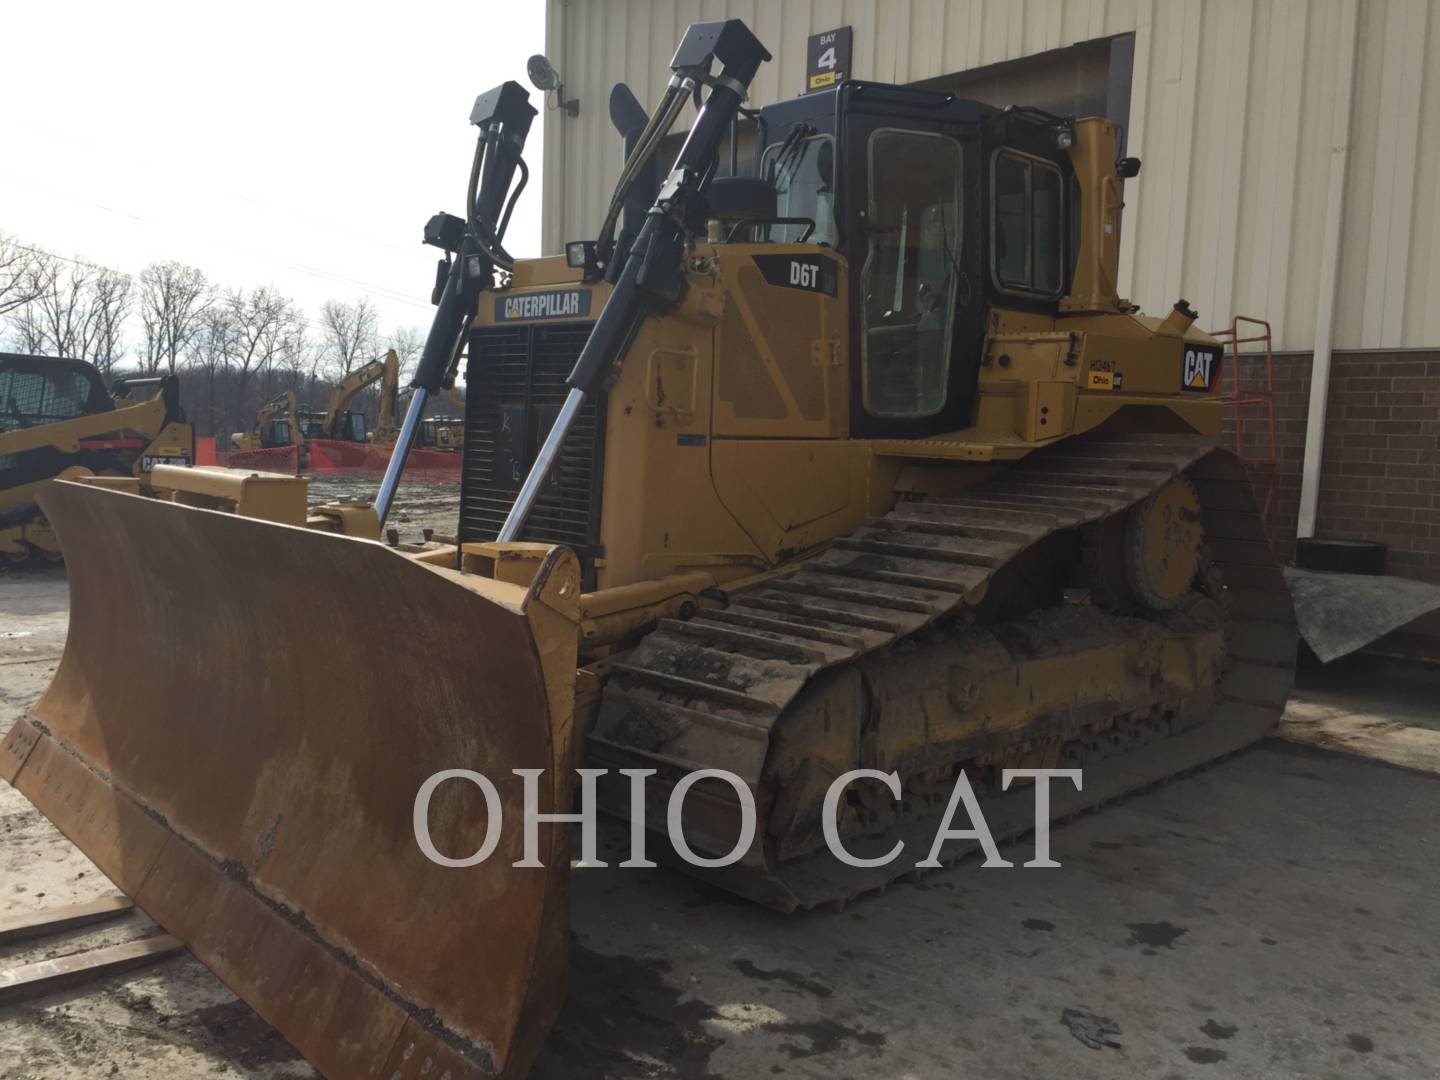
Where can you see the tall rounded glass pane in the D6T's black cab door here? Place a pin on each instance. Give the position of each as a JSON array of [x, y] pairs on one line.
[[912, 257]]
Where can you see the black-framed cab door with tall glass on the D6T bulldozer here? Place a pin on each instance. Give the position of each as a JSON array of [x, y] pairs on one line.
[[914, 240]]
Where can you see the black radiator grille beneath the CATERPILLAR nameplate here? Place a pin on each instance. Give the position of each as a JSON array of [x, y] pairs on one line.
[[515, 388]]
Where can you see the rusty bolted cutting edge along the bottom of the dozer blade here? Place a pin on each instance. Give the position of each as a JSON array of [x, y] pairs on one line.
[[421, 1040]]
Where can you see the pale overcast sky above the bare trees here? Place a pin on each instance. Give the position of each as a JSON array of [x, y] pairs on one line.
[[299, 145]]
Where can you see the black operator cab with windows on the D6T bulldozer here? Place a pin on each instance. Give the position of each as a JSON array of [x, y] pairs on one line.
[[944, 210]]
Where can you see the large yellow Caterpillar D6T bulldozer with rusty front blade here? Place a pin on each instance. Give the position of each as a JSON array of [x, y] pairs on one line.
[[853, 459]]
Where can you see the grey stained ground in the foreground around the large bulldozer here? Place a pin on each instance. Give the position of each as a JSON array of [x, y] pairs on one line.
[[1274, 915]]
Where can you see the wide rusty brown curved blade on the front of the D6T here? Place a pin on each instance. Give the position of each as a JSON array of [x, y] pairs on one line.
[[237, 735]]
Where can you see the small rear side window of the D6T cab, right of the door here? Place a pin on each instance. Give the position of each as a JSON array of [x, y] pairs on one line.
[[1029, 228]]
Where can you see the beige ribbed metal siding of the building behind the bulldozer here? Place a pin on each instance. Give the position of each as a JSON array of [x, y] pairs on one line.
[[1239, 112]]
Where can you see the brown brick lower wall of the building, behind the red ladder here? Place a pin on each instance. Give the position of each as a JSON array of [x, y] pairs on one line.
[[1380, 479]]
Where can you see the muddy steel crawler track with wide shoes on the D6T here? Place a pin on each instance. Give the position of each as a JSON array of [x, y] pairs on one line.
[[712, 692]]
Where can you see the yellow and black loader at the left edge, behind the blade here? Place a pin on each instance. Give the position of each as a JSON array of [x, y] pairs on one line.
[[57, 420]]
